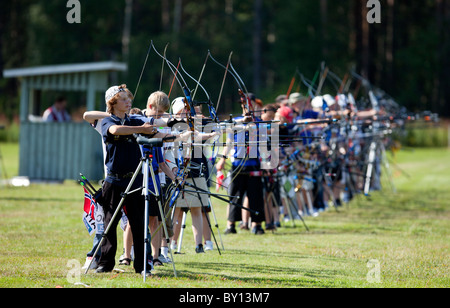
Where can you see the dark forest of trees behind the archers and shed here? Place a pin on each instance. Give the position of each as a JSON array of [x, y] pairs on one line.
[[406, 54]]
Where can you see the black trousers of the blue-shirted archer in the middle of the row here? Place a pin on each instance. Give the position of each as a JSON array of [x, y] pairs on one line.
[[252, 186]]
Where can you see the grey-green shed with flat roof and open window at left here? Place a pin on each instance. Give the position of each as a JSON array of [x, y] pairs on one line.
[[56, 151]]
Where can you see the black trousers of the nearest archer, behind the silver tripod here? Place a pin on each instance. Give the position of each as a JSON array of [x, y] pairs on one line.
[[135, 209]]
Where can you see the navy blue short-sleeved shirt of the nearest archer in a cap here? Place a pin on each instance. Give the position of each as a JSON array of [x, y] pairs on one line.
[[122, 152]]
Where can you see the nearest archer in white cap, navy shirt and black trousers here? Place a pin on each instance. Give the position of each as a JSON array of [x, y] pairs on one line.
[[122, 159]]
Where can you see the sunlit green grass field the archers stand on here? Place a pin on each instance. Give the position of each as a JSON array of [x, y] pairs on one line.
[[392, 240]]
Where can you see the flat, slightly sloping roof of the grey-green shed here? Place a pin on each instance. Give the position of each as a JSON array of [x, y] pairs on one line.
[[64, 69]]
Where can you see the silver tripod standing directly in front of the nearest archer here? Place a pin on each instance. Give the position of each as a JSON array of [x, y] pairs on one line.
[[145, 165]]
